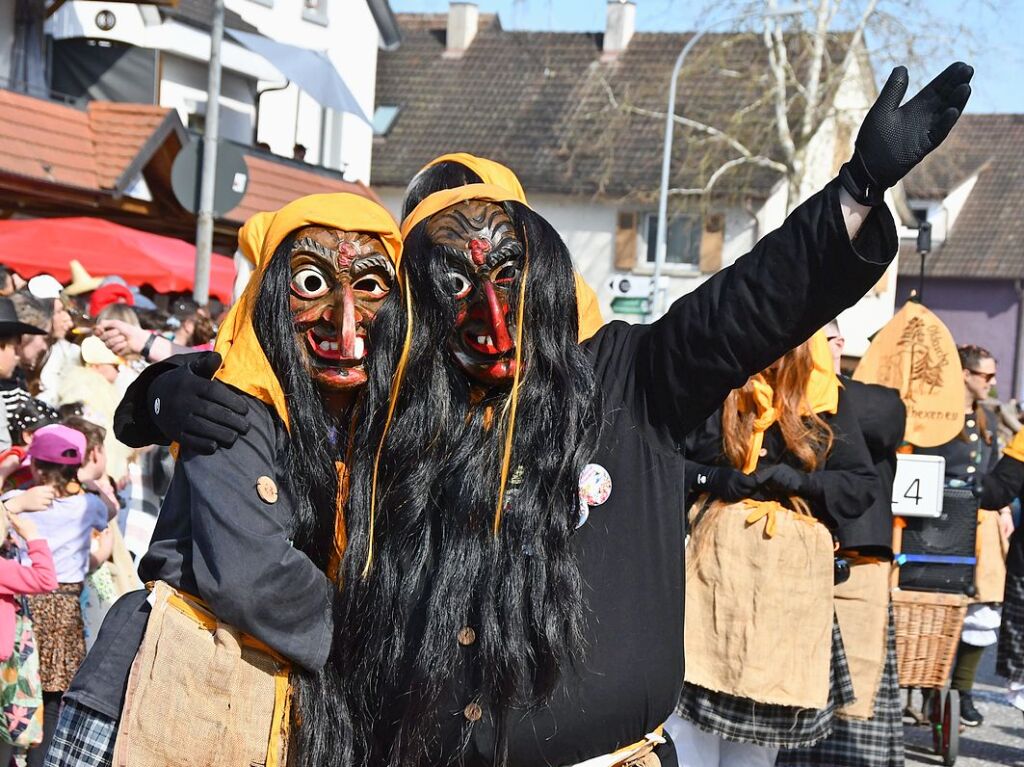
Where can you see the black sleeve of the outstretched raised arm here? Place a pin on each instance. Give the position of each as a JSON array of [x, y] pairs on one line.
[[737, 324]]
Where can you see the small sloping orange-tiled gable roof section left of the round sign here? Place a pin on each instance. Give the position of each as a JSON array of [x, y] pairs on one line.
[[120, 132]]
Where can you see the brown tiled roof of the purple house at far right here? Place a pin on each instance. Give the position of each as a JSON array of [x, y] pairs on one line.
[[988, 238]]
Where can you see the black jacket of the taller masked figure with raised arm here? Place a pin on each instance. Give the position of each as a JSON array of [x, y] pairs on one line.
[[658, 383]]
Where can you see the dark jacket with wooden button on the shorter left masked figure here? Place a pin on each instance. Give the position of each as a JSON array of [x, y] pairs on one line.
[[223, 535]]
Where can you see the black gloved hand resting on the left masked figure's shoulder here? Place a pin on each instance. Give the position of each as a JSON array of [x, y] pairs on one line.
[[196, 412]]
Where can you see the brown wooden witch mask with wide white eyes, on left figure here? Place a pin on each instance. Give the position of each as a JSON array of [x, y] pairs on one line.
[[339, 280]]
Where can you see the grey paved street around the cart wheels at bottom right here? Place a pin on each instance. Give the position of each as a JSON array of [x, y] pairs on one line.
[[999, 742]]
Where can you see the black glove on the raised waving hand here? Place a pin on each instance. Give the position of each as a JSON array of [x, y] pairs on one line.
[[894, 139]]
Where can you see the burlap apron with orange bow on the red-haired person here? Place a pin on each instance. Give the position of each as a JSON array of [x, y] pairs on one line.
[[759, 604]]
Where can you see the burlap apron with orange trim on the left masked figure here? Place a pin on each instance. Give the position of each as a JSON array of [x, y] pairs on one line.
[[202, 694]]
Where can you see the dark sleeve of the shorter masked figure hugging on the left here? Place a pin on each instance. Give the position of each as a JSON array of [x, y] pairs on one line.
[[244, 564]]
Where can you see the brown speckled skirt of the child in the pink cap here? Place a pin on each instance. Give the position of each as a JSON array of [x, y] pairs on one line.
[[57, 619]]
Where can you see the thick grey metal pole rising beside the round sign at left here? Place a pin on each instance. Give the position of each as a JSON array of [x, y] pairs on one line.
[[204, 225]]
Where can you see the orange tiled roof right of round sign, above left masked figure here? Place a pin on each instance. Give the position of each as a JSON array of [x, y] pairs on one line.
[[274, 184]]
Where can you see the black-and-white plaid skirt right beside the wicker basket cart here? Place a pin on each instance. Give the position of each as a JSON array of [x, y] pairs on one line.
[[875, 743]]
